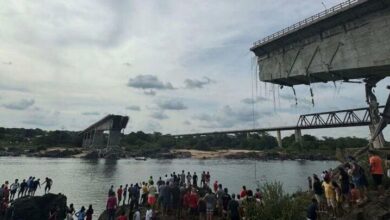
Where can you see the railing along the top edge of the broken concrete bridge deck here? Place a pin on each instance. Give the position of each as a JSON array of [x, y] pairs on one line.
[[333, 10]]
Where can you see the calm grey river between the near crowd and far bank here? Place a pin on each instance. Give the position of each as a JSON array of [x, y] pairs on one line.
[[87, 182]]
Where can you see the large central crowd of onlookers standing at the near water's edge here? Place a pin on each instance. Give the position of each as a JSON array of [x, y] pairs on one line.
[[180, 195]]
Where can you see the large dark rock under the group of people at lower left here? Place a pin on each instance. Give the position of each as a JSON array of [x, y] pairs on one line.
[[37, 207]]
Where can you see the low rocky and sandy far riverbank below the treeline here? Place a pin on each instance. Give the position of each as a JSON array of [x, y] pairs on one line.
[[63, 152]]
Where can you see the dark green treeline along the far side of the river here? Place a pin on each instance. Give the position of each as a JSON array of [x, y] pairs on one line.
[[12, 137]]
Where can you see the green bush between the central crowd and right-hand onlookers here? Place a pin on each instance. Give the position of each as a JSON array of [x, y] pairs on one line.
[[278, 205]]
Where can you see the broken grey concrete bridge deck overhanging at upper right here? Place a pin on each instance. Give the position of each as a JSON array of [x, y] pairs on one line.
[[351, 44]]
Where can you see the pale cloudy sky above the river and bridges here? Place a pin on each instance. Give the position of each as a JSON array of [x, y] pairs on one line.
[[171, 66]]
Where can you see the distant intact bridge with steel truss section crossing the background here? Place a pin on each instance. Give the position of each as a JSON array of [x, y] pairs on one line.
[[332, 119]]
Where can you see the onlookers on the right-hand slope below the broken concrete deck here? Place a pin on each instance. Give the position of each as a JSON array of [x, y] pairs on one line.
[[335, 191]]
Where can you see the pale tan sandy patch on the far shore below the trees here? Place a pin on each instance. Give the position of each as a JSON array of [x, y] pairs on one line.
[[198, 154]]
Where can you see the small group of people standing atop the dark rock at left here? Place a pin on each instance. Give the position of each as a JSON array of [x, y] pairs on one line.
[[10, 191]]
